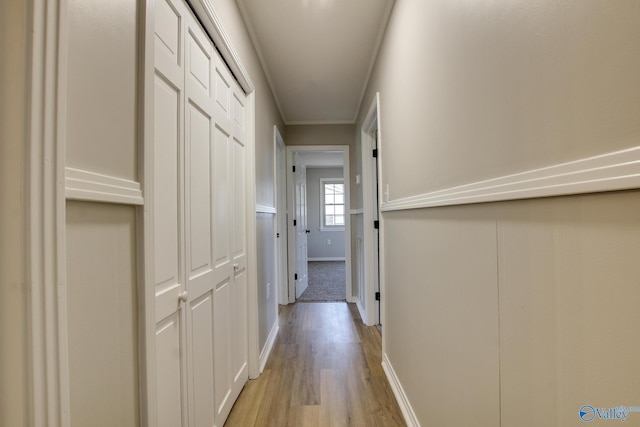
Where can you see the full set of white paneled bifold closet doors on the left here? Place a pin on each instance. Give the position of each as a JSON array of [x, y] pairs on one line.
[[199, 235]]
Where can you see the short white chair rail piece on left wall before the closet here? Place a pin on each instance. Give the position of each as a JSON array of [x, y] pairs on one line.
[[90, 186]]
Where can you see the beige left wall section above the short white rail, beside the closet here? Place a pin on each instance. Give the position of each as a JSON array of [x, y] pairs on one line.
[[102, 83]]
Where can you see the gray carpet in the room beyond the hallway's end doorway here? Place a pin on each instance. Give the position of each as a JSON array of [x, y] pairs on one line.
[[326, 282]]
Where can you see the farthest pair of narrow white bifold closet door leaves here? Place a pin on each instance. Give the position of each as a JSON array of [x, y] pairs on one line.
[[230, 260]]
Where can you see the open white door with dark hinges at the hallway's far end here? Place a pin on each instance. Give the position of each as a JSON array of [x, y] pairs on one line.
[[301, 229]]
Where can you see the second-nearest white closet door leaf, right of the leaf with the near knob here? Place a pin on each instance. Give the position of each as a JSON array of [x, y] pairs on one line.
[[199, 231]]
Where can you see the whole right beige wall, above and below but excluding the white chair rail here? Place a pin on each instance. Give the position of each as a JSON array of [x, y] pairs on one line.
[[514, 313]]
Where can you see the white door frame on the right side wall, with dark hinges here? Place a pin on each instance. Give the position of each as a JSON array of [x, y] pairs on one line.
[[373, 310]]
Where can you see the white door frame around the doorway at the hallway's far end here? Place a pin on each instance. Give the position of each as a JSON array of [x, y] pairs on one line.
[[344, 149]]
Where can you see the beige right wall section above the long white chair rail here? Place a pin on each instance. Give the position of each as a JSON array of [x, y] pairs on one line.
[[474, 90]]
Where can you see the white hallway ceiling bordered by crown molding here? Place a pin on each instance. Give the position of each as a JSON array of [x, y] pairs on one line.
[[317, 54]]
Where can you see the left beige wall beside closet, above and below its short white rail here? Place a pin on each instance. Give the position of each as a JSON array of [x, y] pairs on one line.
[[101, 137]]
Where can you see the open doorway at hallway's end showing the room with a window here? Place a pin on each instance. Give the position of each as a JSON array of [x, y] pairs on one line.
[[319, 223]]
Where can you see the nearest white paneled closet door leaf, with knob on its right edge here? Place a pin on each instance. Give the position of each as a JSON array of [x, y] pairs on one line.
[[168, 214]]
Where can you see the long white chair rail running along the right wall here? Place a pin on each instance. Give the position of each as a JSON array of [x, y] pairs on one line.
[[618, 170]]
